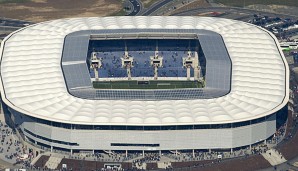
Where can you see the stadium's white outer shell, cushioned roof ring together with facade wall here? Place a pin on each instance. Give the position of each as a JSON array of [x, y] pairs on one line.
[[34, 88]]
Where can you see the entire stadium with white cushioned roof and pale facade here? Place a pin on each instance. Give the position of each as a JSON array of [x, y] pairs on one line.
[[143, 83]]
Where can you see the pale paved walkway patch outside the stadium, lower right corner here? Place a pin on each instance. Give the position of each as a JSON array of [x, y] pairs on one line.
[[274, 157]]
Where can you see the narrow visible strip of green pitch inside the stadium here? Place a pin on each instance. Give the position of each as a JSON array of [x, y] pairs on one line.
[[152, 84]]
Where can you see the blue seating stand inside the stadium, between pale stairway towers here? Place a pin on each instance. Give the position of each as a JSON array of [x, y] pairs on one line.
[[172, 51]]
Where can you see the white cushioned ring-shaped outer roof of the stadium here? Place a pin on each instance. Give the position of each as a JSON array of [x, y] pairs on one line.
[[33, 83]]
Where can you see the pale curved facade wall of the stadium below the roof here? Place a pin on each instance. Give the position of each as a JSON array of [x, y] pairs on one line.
[[207, 138]]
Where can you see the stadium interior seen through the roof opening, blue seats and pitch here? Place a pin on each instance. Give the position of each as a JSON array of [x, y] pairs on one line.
[[146, 63]]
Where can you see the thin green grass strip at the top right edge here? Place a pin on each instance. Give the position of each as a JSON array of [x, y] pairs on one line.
[[241, 3]]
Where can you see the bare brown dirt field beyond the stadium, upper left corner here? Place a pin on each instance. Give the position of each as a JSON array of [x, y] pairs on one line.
[[42, 10]]
